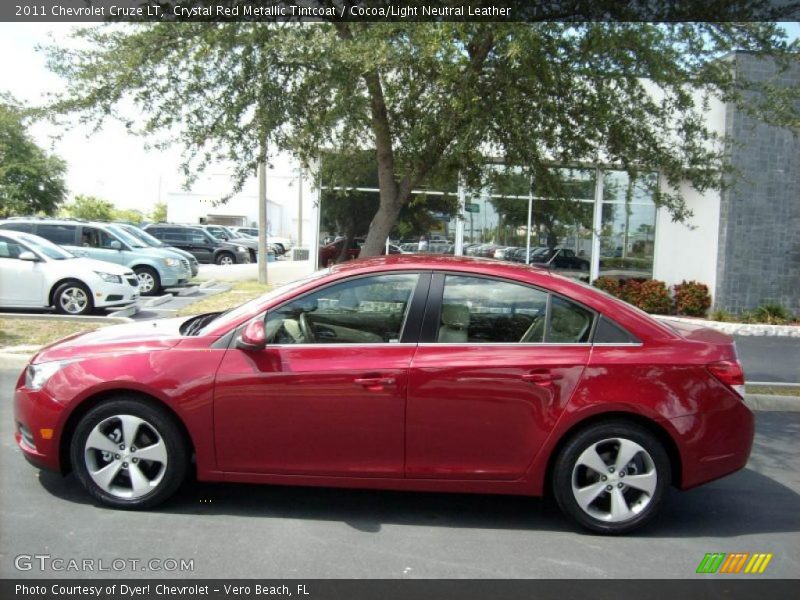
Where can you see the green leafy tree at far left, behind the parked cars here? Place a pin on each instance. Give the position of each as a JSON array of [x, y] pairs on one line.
[[31, 180]]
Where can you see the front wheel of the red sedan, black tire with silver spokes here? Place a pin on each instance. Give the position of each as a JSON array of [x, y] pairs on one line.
[[157, 430]]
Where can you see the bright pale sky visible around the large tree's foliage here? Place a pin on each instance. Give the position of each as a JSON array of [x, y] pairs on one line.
[[111, 163]]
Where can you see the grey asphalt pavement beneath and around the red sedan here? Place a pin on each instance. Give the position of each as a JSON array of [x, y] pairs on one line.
[[230, 531]]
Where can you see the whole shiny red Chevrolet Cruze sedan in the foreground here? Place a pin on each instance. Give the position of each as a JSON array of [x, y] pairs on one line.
[[408, 373]]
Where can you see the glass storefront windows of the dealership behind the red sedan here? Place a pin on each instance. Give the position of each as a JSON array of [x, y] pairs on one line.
[[496, 218]]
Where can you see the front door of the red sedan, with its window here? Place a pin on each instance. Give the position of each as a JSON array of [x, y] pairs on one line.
[[327, 395]]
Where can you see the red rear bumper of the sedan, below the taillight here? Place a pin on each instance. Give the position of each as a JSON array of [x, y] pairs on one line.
[[714, 443]]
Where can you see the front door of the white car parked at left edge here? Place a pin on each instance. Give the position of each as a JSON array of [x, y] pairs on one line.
[[21, 281]]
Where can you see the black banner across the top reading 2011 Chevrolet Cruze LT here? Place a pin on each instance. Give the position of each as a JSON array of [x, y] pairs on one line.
[[154, 11]]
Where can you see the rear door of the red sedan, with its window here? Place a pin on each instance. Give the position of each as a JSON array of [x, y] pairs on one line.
[[496, 364]]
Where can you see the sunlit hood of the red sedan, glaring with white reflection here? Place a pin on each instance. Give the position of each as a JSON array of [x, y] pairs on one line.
[[144, 336]]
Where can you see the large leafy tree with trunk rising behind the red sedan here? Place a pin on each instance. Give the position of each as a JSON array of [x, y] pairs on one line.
[[439, 96]]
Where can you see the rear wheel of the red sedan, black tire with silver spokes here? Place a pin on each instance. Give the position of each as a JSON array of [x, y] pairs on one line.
[[605, 437]]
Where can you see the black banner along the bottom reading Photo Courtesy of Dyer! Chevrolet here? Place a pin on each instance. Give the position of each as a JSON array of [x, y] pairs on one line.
[[731, 588]]
